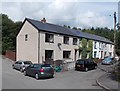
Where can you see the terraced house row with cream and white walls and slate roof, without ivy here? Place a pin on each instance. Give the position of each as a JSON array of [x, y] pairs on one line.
[[39, 41]]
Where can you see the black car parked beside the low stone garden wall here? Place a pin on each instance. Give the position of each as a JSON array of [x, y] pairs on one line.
[[85, 64]]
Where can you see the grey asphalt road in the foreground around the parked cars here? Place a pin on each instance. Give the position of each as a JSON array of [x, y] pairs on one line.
[[13, 79]]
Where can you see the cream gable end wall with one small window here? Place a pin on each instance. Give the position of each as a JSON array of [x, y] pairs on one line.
[[27, 50]]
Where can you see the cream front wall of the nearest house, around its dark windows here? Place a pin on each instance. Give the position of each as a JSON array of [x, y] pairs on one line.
[[58, 54]]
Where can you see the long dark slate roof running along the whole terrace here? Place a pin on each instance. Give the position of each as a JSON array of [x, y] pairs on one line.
[[47, 27]]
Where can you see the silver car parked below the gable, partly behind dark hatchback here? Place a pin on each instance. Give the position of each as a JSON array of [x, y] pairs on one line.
[[21, 65]]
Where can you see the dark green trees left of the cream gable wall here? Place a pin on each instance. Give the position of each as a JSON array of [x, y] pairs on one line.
[[10, 30]]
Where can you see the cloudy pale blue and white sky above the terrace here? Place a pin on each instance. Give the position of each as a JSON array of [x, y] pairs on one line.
[[73, 12]]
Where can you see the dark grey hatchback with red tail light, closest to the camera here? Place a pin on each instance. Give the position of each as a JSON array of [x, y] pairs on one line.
[[39, 71]]
